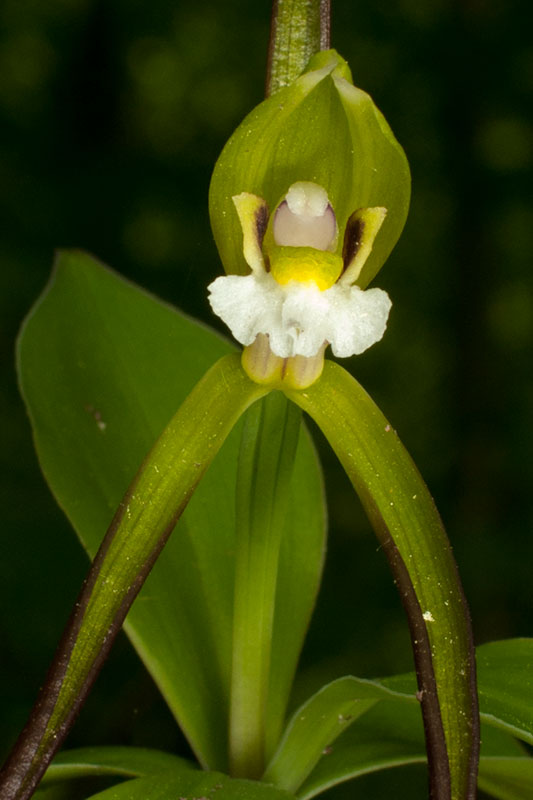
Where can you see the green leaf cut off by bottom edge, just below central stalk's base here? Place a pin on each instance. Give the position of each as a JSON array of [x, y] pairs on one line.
[[192, 786]]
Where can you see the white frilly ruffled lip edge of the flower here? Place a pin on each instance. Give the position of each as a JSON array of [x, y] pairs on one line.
[[299, 318]]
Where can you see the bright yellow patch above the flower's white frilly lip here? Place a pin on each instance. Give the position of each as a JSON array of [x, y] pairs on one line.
[[305, 264]]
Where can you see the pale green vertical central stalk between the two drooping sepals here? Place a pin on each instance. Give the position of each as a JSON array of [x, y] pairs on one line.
[[266, 461]]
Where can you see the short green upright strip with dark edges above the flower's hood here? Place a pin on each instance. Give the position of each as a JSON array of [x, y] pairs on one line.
[[299, 29]]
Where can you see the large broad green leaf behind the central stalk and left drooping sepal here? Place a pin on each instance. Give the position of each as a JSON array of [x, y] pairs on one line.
[[103, 366]]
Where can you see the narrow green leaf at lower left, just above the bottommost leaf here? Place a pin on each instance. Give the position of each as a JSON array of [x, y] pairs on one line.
[[121, 761]]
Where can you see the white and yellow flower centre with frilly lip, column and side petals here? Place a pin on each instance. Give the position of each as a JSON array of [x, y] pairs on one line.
[[300, 294]]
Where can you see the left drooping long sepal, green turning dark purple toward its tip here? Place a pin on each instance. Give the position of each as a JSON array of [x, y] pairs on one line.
[[138, 532]]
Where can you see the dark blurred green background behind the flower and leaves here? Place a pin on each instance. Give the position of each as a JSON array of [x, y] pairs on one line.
[[112, 115]]
